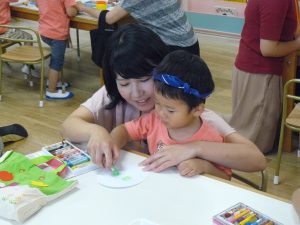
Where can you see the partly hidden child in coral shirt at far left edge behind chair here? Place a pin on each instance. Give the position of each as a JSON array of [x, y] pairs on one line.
[[5, 19]]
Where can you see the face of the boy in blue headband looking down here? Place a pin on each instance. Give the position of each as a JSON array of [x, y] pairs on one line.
[[174, 113]]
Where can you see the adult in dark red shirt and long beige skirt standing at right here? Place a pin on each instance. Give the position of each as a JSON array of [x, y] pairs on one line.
[[268, 36]]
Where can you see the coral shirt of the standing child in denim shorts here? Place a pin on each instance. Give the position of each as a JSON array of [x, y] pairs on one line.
[[54, 22]]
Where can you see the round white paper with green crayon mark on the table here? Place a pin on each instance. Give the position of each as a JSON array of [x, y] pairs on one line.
[[128, 177]]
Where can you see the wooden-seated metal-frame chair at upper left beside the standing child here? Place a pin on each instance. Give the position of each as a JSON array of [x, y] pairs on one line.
[[30, 54]]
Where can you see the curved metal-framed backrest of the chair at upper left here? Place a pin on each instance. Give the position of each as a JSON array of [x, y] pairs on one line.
[[36, 38]]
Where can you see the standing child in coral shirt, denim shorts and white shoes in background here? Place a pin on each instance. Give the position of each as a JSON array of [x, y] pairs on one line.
[[54, 29]]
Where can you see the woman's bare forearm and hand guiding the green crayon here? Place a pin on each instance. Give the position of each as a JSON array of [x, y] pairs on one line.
[[80, 127]]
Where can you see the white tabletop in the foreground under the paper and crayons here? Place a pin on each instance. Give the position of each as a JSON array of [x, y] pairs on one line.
[[163, 198]]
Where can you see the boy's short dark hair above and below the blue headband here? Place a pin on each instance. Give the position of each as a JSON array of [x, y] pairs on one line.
[[190, 69]]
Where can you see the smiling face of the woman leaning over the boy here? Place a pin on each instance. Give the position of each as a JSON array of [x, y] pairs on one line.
[[137, 92]]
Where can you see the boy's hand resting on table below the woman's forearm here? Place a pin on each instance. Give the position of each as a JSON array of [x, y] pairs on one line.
[[192, 167]]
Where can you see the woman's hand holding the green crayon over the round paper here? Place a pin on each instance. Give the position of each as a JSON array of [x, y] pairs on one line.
[[101, 148]]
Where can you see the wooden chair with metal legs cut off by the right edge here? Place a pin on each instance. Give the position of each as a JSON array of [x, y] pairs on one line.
[[291, 121]]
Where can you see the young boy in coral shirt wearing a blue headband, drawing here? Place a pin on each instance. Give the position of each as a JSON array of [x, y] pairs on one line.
[[182, 82]]
